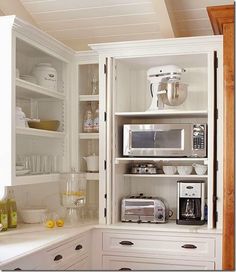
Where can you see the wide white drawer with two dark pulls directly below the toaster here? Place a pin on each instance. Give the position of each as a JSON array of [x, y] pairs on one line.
[[164, 245]]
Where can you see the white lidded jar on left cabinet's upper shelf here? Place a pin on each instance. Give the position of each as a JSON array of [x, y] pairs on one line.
[[46, 75]]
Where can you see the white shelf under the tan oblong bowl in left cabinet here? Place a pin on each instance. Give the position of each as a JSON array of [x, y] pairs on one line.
[[39, 132]]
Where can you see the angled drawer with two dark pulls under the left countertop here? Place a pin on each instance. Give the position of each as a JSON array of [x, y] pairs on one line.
[[61, 255]]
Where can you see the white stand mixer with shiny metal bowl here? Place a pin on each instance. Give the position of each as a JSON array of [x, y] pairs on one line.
[[165, 86]]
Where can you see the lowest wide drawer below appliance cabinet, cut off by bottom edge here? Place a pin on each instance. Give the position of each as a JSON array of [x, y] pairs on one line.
[[133, 263]]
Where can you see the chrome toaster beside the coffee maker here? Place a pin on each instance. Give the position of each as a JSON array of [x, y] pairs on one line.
[[144, 209]]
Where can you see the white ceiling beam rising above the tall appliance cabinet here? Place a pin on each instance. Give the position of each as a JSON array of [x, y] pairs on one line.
[[165, 23]]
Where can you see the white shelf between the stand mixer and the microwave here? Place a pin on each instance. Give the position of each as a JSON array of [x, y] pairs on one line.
[[162, 113]]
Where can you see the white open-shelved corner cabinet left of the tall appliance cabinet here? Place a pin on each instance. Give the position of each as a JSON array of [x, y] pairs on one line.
[[30, 155]]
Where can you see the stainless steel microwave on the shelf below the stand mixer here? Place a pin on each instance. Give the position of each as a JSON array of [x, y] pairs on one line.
[[165, 140]]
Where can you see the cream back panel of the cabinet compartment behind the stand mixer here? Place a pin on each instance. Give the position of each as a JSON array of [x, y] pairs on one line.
[[132, 91]]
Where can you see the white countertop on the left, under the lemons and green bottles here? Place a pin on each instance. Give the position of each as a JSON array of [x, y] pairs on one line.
[[29, 238]]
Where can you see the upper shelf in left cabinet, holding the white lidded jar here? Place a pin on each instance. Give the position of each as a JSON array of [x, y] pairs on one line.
[[25, 89]]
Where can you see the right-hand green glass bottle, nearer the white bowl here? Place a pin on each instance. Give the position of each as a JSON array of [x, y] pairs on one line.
[[11, 209]]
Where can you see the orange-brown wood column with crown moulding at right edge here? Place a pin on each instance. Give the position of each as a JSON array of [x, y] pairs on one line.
[[222, 19]]
